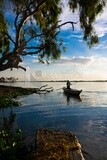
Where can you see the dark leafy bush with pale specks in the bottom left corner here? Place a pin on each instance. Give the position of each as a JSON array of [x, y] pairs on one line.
[[11, 141]]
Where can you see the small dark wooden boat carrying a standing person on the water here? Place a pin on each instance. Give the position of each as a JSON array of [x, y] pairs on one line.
[[73, 92]]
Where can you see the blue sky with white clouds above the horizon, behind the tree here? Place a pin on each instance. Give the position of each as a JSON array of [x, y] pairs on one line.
[[78, 62]]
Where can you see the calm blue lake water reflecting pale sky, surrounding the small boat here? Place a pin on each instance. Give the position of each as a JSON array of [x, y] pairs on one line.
[[86, 117]]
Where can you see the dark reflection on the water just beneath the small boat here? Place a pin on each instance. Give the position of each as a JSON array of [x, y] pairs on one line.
[[72, 98]]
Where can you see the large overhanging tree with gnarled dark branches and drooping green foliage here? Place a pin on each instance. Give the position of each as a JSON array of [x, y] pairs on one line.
[[36, 26]]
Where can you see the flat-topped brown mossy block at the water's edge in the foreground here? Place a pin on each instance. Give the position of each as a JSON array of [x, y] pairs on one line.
[[57, 145]]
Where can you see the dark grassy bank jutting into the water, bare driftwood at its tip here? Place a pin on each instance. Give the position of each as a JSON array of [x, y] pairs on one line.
[[8, 94]]
